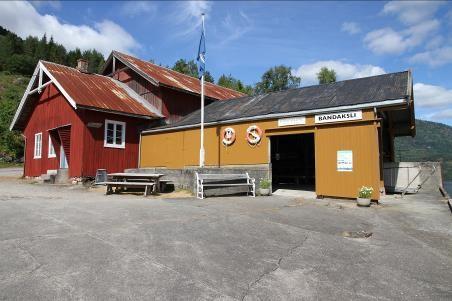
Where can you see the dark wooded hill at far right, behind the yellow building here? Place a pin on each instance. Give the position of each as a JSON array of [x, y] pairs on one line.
[[433, 142]]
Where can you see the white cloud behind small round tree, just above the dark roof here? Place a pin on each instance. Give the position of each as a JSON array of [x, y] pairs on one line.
[[308, 72]]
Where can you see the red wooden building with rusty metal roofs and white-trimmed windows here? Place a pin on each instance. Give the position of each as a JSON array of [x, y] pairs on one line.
[[82, 122]]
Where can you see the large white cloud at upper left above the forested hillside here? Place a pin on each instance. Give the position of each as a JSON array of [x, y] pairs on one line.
[[23, 19]]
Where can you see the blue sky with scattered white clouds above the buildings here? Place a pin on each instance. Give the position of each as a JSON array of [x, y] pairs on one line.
[[245, 39]]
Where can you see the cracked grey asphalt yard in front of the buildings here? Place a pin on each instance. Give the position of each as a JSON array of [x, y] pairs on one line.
[[70, 243]]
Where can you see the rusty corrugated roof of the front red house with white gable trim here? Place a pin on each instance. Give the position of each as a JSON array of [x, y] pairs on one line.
[[98, 91]]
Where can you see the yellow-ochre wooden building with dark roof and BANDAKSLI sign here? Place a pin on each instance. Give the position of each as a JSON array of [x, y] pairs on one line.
[[331, 138]]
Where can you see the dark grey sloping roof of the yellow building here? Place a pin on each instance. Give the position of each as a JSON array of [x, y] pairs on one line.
[[386, 87]]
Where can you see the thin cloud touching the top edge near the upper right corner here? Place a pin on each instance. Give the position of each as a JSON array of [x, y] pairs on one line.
[[412, 12]]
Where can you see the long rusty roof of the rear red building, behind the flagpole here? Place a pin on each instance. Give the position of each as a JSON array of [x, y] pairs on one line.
[[171, 78]]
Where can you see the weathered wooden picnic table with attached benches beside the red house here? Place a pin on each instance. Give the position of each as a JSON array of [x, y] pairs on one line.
[[120, 180]]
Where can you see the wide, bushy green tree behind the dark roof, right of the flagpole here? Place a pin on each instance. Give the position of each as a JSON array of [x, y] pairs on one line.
[[277, 78]]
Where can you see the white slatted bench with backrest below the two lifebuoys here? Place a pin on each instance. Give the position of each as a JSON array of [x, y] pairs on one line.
[[221, 180]]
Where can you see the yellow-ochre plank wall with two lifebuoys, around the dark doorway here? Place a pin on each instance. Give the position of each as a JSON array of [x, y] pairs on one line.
[[179, 149]]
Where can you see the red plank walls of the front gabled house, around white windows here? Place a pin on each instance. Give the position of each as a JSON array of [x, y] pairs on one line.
[[86, 147]]
